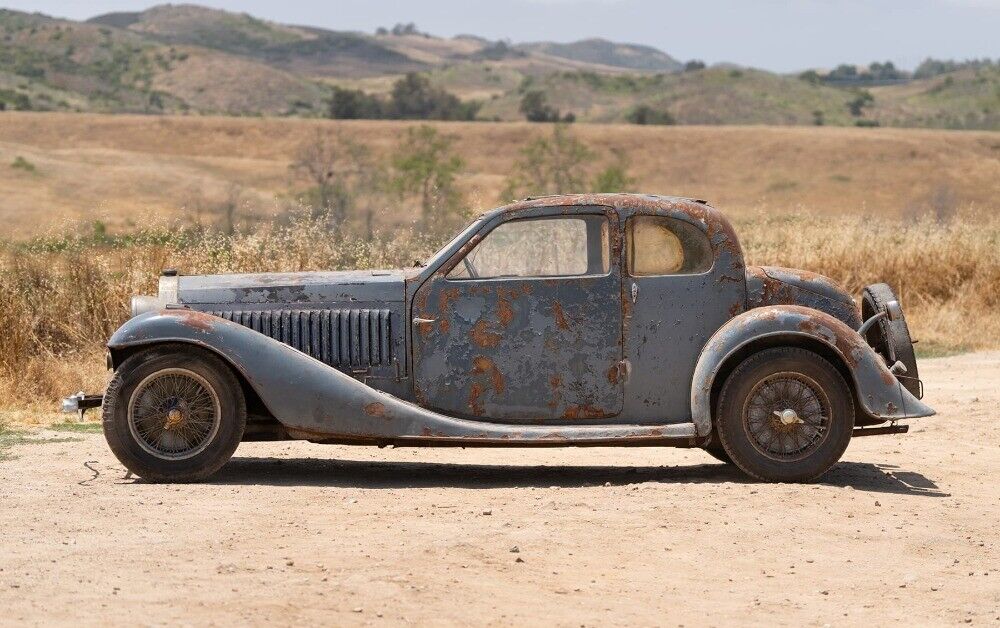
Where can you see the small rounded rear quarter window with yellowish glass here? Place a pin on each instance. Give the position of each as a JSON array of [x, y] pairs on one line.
[[658, 245]]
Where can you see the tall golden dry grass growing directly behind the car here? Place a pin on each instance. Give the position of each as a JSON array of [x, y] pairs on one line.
[[60, 300]]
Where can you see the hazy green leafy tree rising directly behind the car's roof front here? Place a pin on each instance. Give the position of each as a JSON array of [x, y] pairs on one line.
[[549, 165]]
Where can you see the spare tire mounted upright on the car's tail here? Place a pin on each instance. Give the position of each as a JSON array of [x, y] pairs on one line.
[[890, 338]]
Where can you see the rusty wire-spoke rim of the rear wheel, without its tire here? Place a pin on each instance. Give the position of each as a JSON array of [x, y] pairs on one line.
[[786, 416]]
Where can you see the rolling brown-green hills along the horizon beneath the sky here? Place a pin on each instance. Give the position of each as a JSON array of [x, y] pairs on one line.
[[189, 59]]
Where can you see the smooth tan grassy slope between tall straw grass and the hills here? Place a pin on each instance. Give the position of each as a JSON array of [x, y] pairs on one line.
[[125, 170]]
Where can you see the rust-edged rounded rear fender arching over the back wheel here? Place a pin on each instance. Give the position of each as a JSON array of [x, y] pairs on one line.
[[879, 392]]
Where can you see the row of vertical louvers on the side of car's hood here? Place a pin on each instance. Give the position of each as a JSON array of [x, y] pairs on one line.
[[346, 338]]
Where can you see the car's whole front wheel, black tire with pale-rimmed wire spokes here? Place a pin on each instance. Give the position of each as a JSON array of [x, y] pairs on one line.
[[214, 390]]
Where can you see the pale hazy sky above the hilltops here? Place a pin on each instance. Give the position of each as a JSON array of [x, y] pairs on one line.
[[780, 35]]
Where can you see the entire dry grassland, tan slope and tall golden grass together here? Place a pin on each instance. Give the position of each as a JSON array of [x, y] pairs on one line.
[[855, 204]]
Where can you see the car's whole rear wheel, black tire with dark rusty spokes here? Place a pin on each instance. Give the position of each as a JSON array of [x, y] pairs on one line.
[[746, 414]]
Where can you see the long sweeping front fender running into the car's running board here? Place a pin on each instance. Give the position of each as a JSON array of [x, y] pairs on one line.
[[315, 401]]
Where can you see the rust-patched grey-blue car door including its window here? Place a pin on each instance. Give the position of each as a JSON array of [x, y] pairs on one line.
[[526, 326]]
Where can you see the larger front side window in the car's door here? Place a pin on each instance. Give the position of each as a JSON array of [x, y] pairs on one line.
[[540, 247]]
